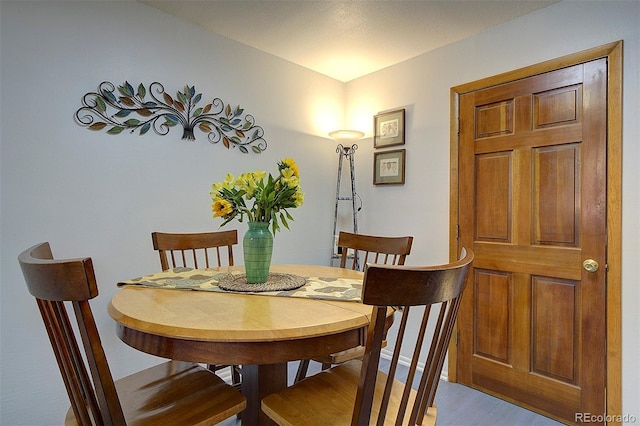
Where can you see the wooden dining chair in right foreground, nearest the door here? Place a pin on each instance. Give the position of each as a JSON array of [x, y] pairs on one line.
[[356, 392]]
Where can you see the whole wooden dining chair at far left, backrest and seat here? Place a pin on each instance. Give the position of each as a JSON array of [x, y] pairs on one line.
[[169, 393]]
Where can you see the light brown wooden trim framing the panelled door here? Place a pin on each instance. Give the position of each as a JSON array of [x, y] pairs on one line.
[[613, 53]]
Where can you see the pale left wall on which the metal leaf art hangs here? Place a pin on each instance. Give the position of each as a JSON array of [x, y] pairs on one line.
[[92, 194]]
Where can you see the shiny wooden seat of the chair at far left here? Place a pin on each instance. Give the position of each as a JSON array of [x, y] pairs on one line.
[[175, 393]]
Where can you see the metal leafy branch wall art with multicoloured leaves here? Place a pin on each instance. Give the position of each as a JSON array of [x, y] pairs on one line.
[[142, 110]]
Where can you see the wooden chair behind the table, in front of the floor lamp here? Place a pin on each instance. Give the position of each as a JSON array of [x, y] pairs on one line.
[[355, 250]]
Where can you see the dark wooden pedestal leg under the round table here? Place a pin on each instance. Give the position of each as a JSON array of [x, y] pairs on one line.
[[259, 381]]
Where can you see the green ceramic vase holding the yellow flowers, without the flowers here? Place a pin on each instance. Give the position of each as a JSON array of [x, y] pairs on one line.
[[257, 247]]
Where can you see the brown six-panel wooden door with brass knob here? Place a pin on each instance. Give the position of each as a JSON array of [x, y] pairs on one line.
[[532, 205]]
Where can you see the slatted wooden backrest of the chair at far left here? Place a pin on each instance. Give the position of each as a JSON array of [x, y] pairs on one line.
[[54, 282]]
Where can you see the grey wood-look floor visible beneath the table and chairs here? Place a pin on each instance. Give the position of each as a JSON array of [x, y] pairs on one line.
[[459, 405]]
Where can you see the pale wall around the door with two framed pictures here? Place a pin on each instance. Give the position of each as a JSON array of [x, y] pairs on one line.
[[422, 86]]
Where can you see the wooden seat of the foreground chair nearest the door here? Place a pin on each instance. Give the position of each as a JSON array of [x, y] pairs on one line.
[[334, 393]]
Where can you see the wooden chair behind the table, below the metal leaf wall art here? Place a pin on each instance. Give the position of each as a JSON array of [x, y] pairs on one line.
[[197, 250]]
